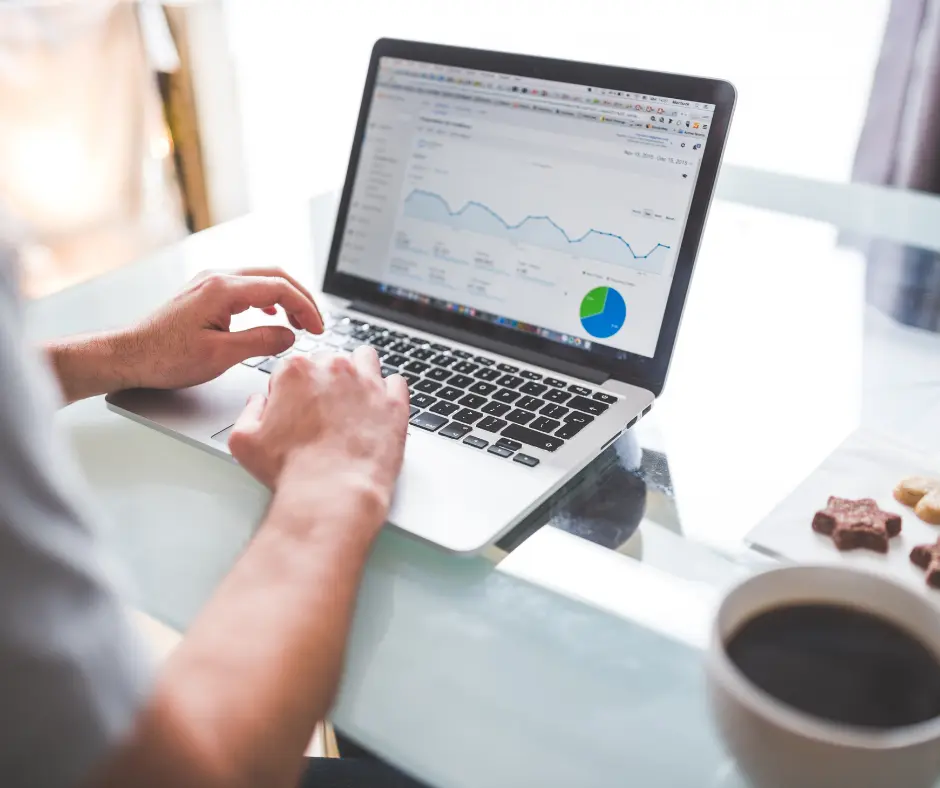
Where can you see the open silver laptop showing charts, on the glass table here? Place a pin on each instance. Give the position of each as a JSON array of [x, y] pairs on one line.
[[516, 236]]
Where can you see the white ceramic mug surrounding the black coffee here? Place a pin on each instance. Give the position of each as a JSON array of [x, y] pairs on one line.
[[778, 746]]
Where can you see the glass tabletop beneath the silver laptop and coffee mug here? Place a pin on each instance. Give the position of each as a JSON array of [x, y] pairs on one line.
[[571, 653]]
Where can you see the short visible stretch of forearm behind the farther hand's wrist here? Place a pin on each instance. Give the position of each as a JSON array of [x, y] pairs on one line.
[[90, 365]]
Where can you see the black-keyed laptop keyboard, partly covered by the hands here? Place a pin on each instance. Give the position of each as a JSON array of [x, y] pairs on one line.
[[486, 404]]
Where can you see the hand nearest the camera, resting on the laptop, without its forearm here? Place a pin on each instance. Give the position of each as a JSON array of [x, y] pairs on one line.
[[329, 422]]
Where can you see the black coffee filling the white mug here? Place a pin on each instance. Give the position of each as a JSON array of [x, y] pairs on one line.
[[840, 664]]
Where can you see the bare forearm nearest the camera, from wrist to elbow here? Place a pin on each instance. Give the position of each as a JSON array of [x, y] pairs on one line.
[[240, 697]]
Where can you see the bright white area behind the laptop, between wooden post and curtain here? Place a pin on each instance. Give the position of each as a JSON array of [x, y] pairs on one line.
[[803, 69]]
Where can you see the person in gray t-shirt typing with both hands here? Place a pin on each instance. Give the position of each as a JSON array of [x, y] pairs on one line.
[[238, 700]]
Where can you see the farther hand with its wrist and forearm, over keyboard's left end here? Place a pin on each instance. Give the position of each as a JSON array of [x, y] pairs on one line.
[[188, 341]]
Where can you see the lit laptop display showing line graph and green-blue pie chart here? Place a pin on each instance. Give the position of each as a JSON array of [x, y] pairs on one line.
[[545, 207]]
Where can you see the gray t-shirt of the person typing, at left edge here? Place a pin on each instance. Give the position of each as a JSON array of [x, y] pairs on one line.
[[72, 671]]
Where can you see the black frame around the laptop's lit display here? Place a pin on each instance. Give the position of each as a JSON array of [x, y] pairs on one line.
[[650, 373]]
